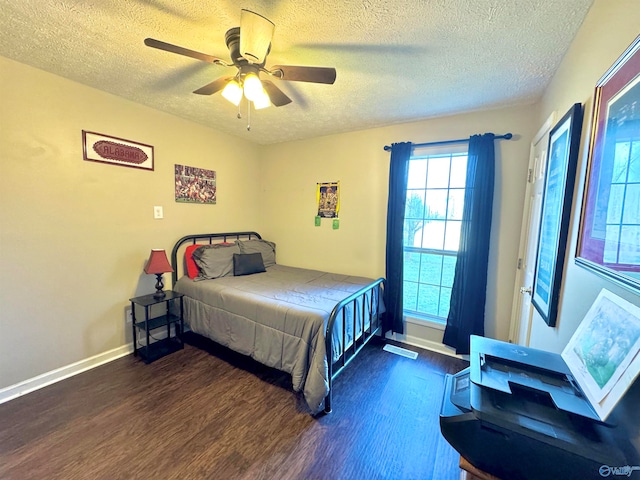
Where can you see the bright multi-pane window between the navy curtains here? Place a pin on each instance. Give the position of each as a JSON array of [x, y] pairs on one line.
[[433, 217]]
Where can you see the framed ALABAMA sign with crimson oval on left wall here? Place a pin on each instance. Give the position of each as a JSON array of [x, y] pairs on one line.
[[97, 147]]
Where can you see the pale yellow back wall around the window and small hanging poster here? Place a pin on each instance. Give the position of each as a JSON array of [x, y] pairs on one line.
[[291, 170]]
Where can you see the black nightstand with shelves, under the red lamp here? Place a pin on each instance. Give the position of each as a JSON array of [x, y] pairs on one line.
[[146, 327]]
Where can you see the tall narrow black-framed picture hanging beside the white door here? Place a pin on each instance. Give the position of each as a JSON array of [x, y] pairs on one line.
[[560, 174]]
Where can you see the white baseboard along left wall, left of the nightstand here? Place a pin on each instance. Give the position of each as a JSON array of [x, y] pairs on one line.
[[35, 383]]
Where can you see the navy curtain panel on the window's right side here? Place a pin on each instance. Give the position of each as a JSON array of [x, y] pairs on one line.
[[469, 292]]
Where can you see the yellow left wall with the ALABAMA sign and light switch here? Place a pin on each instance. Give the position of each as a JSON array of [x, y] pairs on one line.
[[74, 235]]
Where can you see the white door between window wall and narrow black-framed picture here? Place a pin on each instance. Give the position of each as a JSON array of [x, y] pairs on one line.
[[522, 309]]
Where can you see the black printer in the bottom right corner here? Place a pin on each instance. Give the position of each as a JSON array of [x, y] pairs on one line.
[[517, 413]]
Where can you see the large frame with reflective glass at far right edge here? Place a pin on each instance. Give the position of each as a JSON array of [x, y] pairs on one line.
[[609, 234]]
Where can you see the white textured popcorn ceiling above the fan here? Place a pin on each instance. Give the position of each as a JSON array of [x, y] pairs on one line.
[[396, 61]]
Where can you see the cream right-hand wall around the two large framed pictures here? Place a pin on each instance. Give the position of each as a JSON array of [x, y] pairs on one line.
[[608, 30]]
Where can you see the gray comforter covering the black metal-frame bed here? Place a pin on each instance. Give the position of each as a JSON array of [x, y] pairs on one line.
[[277, 317]]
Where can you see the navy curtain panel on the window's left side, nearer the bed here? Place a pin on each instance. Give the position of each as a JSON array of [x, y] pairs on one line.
[[398, 173]]
